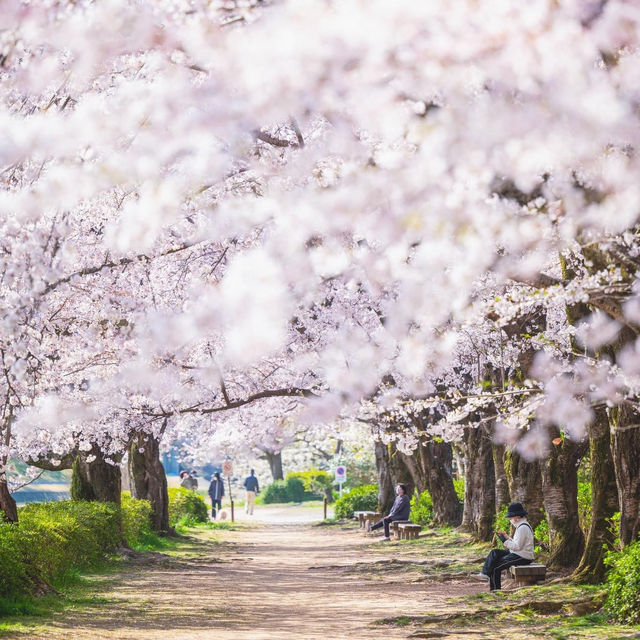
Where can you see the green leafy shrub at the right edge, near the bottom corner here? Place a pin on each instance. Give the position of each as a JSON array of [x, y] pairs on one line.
[[623, 599]]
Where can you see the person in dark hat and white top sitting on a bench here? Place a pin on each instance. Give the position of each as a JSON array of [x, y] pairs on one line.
[[518, 551]]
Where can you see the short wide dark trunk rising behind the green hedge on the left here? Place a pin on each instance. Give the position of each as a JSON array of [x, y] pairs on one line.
[[96, 480]]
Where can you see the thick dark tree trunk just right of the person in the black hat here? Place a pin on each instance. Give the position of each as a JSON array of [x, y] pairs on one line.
[[560, 489]]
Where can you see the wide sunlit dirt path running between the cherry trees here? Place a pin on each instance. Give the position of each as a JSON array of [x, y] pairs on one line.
[[275, 581]]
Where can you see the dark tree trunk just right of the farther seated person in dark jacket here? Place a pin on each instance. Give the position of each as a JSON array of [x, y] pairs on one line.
[[434, 470]]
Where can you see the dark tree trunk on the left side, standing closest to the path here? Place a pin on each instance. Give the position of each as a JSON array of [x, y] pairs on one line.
[[148, 479]]
